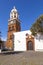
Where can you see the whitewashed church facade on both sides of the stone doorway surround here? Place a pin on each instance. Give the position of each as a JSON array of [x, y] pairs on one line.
[[20, 41]]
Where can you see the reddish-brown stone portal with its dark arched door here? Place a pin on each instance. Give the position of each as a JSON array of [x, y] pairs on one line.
[[29, 39]]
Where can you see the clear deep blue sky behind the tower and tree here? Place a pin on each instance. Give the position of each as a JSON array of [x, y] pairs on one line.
[[29, 11]]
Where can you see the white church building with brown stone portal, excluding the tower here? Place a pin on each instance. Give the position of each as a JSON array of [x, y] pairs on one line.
[[24, 41]]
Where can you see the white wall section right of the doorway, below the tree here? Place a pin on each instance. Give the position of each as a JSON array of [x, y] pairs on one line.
[[39, 43]]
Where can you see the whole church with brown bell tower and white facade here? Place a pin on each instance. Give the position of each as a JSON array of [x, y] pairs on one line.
[[22, 40]]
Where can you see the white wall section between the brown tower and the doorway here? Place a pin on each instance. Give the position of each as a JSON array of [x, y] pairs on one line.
[[20, 40]]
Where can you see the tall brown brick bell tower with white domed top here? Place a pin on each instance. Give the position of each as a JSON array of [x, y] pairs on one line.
[[13, 26]]
